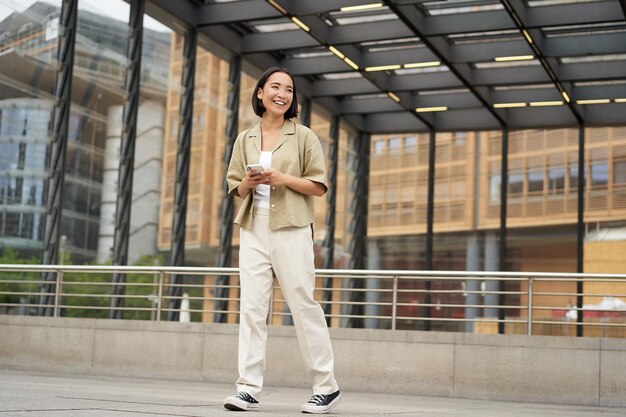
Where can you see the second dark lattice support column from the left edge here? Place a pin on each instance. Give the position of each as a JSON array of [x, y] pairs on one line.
[[127, 156]]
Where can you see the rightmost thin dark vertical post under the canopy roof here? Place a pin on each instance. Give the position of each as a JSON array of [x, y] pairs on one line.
[[580, 231]]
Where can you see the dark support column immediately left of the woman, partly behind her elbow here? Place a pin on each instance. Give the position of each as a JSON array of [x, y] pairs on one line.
[[224, 256]]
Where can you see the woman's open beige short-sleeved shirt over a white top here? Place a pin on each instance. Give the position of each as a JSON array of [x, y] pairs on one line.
[[298, 152]]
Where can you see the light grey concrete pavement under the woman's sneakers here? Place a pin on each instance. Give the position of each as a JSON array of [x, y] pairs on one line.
[[28, 394]]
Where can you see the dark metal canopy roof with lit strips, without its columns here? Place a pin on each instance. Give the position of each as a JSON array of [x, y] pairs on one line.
[[467, 87]]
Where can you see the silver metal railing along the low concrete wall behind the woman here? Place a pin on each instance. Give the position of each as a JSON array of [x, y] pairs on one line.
[[531, 303]]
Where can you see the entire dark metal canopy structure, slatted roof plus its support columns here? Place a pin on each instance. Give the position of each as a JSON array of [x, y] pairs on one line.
[[467, 88]]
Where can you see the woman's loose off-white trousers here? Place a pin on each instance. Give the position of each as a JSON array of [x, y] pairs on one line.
[[287, 253]]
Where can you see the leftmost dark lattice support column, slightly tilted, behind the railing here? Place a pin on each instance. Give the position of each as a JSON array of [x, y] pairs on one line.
[[58, 150]]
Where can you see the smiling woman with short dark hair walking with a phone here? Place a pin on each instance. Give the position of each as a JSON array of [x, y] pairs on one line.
[[276, 238]]
